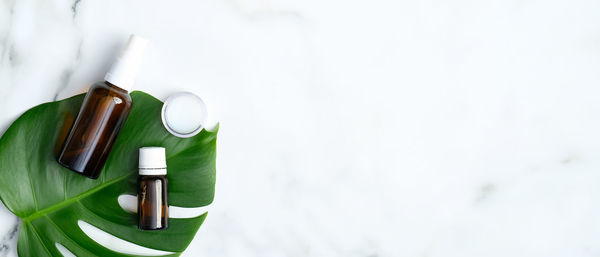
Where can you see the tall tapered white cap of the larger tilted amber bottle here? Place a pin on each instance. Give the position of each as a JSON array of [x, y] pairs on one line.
[[123, 71]]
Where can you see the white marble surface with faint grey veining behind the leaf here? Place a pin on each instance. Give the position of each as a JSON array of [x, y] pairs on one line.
[[354, 128]]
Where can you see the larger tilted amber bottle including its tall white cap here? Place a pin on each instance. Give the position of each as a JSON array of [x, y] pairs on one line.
[[102, 115]]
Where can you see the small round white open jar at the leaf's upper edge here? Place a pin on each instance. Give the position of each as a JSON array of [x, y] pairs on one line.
[[184, 114]]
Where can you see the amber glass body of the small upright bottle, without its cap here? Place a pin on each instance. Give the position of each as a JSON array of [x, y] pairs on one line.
[[153, 208]]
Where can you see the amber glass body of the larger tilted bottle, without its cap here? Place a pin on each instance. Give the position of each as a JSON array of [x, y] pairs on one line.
[[101, 117]]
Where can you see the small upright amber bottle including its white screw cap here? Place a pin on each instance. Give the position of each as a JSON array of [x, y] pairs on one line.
[[153, 208]]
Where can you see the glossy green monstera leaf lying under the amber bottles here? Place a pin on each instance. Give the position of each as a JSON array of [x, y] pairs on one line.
[[53, 201]]
